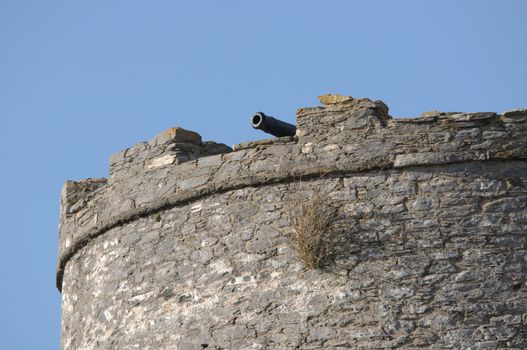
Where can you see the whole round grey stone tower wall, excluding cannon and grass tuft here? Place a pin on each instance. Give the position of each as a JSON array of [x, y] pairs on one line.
[[185, 245]]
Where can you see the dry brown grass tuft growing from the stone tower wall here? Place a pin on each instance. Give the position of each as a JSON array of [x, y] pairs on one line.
[[311, 219]]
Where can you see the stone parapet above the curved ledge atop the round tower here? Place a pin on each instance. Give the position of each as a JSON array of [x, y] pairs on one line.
[[344, 136]]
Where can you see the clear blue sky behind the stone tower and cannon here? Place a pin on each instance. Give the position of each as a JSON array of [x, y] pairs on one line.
[[80, 80]]
